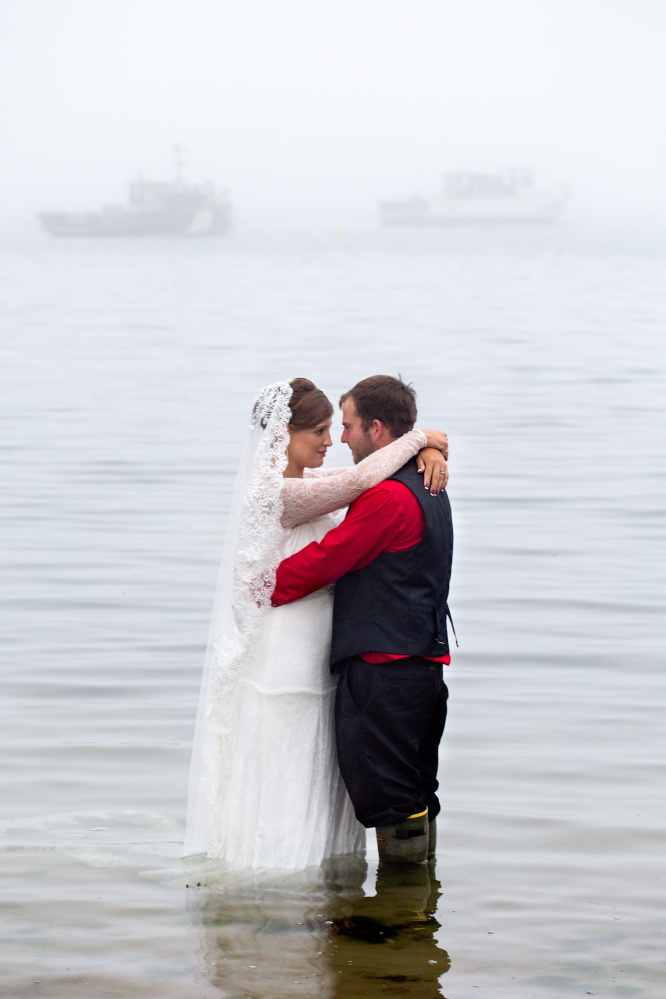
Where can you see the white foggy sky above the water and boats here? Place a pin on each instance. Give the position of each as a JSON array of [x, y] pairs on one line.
[[317, 108]]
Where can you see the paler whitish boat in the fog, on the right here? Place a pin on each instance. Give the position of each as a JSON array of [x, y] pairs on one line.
[[468, 198]]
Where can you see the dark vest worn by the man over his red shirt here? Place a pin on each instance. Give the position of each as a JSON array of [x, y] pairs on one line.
[[397, 604]]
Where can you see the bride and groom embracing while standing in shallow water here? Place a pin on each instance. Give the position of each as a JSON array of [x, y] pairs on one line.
[[321, 712]]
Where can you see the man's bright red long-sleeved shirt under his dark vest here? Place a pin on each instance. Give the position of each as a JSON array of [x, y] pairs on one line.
[[386, 518]]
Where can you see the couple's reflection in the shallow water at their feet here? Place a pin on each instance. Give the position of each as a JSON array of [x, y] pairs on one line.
[[292, 936]]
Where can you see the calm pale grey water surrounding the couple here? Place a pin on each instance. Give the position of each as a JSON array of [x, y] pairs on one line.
[[128, 369]]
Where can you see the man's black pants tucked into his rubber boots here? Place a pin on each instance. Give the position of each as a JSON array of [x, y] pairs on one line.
[[389, 721]]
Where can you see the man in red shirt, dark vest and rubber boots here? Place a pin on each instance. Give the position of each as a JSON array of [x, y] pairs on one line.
[[391, 562]]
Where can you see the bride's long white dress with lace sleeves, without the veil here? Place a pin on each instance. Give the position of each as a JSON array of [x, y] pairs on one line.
[[275, 795]]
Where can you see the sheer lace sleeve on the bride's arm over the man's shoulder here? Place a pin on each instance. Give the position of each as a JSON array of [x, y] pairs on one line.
[[308, 498]]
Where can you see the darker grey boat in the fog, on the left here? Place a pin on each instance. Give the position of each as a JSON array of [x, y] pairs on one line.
[[154, 209]]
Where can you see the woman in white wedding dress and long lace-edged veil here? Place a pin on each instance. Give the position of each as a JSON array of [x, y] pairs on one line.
[[265, 789]]
